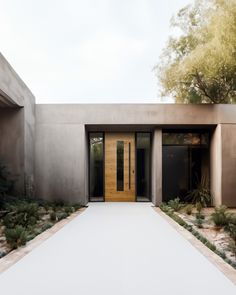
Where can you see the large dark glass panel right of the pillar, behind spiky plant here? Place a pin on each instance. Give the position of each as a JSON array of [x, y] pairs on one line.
[[185, 159]]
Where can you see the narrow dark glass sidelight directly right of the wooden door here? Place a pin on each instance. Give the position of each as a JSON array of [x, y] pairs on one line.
[[143, 144]]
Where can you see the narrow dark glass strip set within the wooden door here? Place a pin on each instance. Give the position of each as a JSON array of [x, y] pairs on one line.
[[120, 166]]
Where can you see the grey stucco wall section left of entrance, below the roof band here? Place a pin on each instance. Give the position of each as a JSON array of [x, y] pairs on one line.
[[60, 162]]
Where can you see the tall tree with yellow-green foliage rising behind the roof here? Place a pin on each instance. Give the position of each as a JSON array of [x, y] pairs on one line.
[[199, 66]]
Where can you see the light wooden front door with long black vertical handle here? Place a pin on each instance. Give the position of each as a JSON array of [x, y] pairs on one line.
[[120, 167]]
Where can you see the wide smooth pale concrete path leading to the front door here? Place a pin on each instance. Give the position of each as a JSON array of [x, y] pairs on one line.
[[115, 249]]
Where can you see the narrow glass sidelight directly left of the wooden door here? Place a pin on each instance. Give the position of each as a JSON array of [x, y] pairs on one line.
[[96, 166]]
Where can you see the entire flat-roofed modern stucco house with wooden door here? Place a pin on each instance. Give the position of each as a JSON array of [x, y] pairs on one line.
[[115, 152]]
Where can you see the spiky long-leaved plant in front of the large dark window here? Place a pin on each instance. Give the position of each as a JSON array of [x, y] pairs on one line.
[[201, 194]]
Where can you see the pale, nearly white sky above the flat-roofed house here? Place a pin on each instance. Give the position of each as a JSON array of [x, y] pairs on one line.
[[90, 51]]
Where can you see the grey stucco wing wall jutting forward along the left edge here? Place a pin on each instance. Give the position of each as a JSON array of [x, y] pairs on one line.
[[16, 100]]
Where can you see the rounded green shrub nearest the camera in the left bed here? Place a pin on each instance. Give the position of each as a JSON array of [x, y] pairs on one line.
[[16, 236]]
